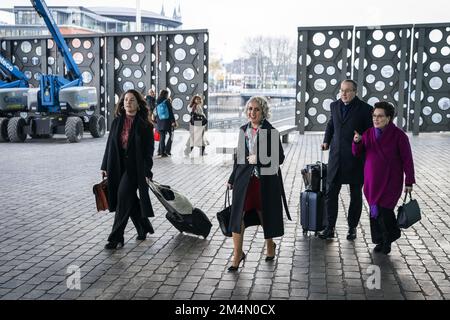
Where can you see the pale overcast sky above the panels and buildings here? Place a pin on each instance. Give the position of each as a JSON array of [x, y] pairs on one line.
[[230, 21]]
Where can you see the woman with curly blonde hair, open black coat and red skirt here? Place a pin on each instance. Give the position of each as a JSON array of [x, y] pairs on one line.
[[256, 181]]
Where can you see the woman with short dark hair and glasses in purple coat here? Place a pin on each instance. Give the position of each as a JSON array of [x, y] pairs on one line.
[[388, 158]]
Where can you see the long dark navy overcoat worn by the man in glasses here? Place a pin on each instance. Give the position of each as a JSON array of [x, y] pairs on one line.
[[343, 167]]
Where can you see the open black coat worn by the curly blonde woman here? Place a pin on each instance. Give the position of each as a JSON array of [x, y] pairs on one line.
[[272, 190]]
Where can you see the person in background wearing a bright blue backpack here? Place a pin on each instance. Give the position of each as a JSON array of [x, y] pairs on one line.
[[165, 122]]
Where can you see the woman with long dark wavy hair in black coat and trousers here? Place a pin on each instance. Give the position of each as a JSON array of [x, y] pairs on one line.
[[127, 163]]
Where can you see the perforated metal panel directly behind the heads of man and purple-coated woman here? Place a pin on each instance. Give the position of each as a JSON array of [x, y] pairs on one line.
[[381, 66]]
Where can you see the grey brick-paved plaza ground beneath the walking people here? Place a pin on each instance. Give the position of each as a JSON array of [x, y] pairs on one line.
[[49, 225]]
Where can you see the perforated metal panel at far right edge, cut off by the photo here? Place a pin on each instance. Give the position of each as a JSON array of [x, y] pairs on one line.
[[430, 95]]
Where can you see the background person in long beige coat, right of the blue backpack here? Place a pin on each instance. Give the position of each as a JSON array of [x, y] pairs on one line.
[[197, 126]]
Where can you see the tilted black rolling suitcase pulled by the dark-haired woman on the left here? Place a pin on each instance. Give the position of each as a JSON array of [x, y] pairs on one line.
[[180, 212]]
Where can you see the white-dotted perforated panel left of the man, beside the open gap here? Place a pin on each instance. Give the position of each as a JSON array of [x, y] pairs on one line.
[[324, 59]]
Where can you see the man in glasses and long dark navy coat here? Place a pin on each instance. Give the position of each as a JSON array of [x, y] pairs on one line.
[[348, 114]]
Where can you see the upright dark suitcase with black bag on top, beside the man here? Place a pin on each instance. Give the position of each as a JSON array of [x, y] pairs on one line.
[[312, 200]]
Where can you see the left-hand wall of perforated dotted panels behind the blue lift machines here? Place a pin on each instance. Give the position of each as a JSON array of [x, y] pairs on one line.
[[114, 63]]
